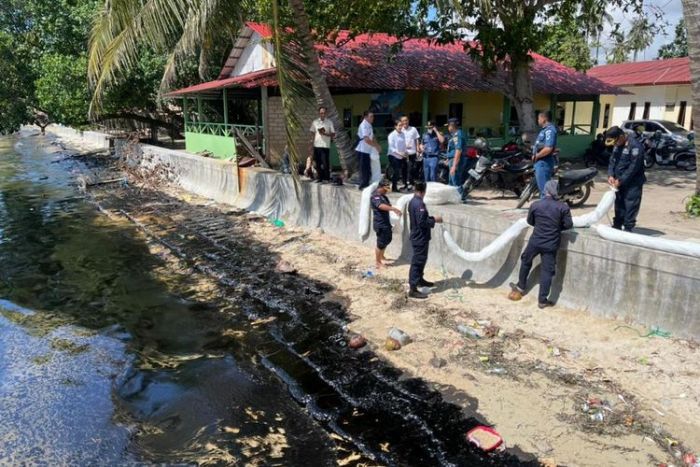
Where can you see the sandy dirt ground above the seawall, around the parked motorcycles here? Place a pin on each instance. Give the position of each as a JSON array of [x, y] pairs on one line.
[[663, 202]]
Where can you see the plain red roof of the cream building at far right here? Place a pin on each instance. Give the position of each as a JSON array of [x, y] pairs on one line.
[[671, 71]]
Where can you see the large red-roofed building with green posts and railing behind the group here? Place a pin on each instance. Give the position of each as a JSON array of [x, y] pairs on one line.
[[421, 79]]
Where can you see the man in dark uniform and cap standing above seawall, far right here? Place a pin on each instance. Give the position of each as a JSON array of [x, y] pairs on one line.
[[626, 173]]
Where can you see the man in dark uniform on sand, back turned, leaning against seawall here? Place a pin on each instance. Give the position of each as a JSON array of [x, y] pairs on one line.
[[549, 217]]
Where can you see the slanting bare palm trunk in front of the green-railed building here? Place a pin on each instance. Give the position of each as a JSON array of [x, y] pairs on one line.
[[320, 87]]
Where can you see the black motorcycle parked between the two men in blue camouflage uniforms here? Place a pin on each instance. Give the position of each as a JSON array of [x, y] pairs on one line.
[[507, 170]]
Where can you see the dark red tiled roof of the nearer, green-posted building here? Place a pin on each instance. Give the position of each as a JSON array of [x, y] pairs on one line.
[[367, 62]]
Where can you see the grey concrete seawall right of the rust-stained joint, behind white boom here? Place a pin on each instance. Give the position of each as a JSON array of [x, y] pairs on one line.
[[607, 279]]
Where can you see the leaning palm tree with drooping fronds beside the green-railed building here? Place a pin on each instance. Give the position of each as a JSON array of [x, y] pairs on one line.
[[188, 27]]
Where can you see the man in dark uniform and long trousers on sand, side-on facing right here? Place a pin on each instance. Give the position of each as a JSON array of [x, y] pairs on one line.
[[421, 223]]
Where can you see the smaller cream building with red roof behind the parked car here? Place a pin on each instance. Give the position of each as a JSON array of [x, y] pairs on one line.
[[656, 90]]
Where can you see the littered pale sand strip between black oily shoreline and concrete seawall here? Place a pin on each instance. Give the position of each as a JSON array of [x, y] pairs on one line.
[[533, 378]]
